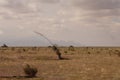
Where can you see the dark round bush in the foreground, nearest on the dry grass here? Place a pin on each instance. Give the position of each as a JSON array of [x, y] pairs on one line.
[[30, 71]]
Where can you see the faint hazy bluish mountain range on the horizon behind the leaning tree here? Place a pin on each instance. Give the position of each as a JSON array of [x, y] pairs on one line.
[[38, 42]]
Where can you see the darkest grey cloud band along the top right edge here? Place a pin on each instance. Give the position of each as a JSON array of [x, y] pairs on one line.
[[97, 4]]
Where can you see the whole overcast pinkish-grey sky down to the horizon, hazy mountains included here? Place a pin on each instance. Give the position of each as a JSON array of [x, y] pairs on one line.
[[65, 22]]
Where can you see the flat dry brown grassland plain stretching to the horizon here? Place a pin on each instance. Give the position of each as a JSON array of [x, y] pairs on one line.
[[79, 64]]
